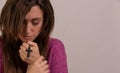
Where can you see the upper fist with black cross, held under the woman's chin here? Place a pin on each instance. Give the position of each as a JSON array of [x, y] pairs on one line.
[[33, 55]]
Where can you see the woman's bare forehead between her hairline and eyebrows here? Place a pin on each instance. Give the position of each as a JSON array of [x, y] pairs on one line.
[[35, 12]]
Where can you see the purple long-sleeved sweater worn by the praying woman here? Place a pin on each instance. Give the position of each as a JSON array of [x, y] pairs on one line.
[[57, 59]]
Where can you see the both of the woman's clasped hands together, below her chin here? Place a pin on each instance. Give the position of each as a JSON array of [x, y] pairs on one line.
[[36, 62]]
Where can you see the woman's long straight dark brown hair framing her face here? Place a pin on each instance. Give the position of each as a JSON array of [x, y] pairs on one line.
[[11, 19]]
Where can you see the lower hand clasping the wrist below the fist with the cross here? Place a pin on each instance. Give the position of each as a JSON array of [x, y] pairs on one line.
[[39, 66]]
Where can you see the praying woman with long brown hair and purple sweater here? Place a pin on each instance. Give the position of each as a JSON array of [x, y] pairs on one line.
[[26, 46]]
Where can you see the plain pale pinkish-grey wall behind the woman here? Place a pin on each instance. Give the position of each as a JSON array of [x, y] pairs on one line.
[[90, 31]]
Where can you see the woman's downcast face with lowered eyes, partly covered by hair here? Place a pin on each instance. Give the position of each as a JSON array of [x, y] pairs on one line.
[[33, 22]]
